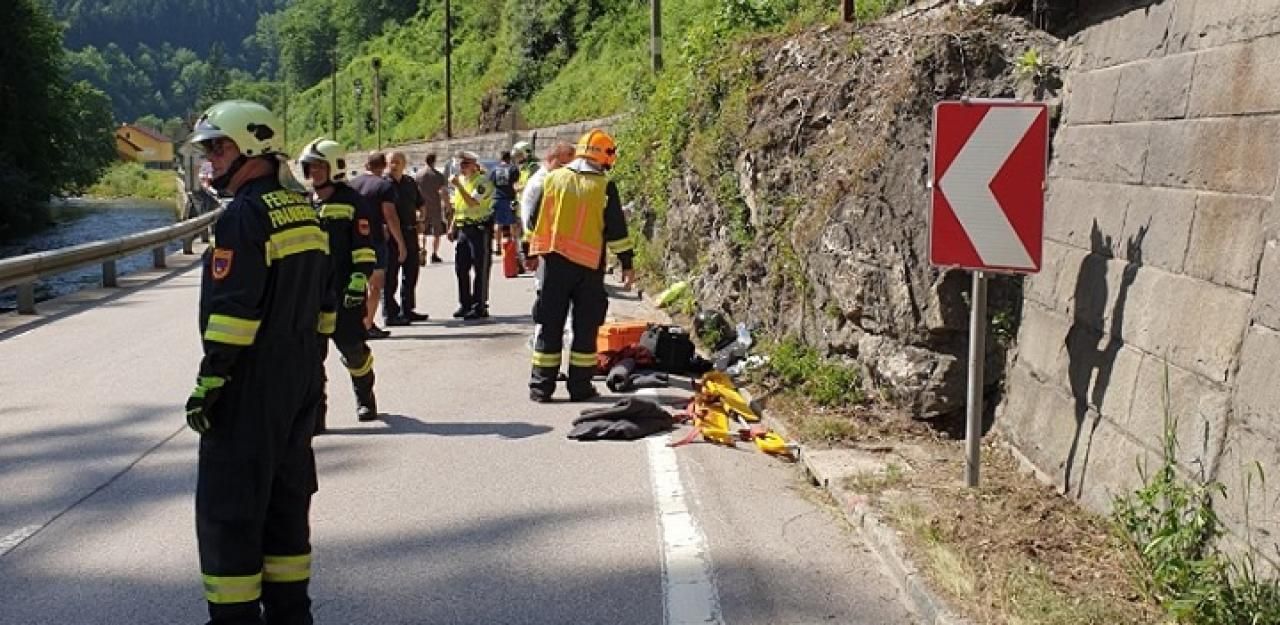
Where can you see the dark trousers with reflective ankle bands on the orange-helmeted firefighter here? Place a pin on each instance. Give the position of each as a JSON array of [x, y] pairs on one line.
[[568, 285]]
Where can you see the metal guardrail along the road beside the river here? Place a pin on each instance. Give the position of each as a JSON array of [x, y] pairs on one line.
[[24, 272]]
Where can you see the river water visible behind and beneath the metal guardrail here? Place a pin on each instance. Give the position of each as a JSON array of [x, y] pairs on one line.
[[81, 222]]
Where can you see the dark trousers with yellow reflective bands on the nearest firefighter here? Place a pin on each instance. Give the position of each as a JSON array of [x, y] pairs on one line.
[[255, 485]]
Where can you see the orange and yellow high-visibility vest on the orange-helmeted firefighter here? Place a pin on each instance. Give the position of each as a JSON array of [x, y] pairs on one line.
[[572, 217]]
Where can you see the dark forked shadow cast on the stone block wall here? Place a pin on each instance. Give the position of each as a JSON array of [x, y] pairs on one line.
[[1090, 366]]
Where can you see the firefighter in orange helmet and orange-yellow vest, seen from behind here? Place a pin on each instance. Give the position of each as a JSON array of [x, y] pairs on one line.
[[578, 217]]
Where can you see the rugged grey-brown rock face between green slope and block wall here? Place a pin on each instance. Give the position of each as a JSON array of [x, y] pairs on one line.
[[817, 225]]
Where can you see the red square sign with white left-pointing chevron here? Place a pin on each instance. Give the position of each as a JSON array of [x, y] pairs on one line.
[[989, 181]]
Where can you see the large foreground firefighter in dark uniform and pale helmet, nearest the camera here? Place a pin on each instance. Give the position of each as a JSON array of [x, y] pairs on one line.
[[258, 389]]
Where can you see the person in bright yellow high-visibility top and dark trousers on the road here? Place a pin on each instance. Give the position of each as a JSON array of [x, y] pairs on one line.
[[473, 215]]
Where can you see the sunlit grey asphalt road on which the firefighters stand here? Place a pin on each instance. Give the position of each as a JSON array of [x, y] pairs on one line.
[[464, 505]]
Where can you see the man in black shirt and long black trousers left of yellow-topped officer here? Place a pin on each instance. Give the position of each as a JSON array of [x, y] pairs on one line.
[[409, 207]]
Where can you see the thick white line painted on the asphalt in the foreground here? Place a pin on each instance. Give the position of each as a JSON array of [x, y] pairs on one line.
[[688, 588]]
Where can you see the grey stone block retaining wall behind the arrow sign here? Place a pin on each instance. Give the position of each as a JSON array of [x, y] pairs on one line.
[[1162, 262]]
